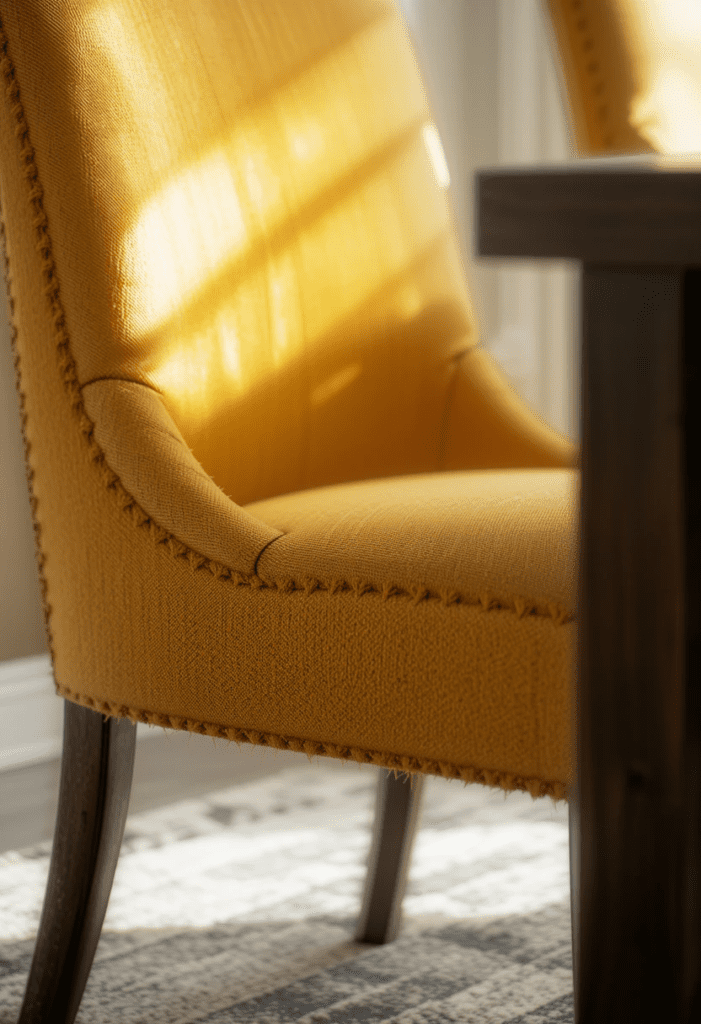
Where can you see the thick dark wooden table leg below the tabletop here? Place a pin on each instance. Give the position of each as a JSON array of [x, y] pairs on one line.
[[636, 815]]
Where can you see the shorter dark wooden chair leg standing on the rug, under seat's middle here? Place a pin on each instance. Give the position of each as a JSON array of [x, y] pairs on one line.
[[397, 818]]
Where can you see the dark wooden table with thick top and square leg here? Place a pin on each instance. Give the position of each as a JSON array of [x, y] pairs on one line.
[[635, 226]]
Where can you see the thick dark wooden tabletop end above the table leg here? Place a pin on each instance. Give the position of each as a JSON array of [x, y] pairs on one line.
[[626, 212]]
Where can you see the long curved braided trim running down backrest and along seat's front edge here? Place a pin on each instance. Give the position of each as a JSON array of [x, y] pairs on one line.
[[112, 482]]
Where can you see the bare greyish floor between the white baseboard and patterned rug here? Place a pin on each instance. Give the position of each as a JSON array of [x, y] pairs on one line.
[[169, 766]]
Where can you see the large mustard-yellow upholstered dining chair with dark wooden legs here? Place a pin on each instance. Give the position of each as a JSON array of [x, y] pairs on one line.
[[281, 494]]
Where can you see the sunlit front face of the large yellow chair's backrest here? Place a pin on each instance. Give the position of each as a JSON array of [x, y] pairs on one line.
[[250, 206]]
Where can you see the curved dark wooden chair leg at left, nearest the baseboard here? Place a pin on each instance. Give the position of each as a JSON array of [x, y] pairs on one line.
[[96, 783]]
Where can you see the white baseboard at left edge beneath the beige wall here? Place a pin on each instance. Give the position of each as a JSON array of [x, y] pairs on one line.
[[32, 715]]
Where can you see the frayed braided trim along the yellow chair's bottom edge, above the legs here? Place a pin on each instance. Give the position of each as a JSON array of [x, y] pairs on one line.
[[396, 762]]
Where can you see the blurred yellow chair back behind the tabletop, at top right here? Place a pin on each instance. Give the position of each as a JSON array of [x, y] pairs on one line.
[[633, 74]]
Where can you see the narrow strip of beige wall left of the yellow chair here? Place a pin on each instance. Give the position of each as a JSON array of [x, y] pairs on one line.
[[22, 624]]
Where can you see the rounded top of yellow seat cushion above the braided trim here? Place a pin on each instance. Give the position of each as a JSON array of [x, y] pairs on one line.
[[502, 537]]
